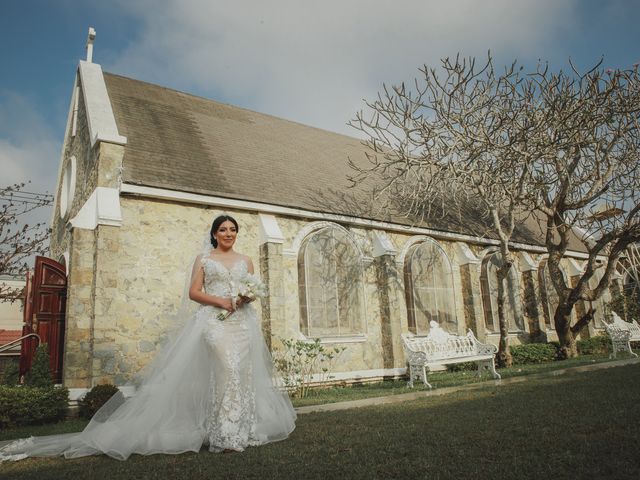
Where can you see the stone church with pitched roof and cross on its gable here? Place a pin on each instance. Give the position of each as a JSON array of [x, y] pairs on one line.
[[144, 170]]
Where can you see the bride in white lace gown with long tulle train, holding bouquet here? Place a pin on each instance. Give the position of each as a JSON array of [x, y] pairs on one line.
[[212, 384]]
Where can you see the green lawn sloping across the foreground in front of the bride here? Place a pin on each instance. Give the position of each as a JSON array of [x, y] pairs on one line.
[[576, 425]]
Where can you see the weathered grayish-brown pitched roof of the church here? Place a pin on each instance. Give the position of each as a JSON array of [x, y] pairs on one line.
[[187, 143]]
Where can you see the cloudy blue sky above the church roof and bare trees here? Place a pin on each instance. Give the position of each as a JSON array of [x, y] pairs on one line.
[[309, 61]]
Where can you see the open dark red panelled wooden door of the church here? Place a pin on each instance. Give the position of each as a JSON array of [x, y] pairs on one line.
[[44, 308]]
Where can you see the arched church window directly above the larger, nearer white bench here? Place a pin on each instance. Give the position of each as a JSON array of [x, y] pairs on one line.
[[428, 280]]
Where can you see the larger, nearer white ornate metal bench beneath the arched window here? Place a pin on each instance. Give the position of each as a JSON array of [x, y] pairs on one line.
[[442, 348]]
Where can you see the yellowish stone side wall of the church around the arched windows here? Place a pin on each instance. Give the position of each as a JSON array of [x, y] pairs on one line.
[[127, 284]]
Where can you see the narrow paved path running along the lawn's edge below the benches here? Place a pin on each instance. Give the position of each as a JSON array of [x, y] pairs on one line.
[[403, 397]]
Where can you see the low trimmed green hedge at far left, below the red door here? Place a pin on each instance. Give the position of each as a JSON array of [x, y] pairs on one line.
[[24, 405]]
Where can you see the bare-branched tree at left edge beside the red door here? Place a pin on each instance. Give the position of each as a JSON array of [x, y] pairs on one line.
[[19, 241]]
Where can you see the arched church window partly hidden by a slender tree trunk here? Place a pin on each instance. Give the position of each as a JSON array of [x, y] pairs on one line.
[[489, 287]]
